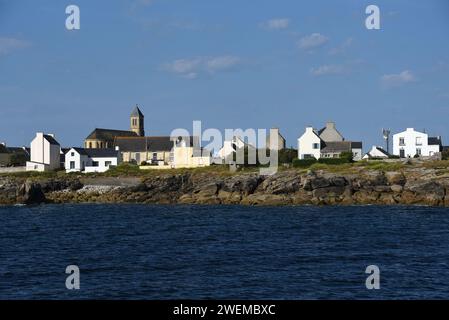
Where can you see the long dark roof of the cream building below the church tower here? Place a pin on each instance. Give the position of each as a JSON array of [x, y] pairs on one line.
[[144, 144]]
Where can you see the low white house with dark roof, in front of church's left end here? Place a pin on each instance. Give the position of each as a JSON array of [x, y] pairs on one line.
[[91, 160]]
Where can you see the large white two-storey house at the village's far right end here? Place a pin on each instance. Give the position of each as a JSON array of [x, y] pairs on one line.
[[410, 143]]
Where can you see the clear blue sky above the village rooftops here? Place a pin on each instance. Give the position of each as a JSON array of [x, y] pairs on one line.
[[231, 64]]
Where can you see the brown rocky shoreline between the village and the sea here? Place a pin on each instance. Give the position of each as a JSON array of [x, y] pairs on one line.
[[415, 186]]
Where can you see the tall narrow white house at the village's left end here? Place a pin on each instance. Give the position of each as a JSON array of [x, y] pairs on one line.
[[44, 154]]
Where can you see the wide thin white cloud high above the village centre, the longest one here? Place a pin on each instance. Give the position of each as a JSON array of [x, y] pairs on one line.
[[192, 68]]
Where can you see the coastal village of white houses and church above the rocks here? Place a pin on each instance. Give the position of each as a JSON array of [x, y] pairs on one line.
[[108, 148]]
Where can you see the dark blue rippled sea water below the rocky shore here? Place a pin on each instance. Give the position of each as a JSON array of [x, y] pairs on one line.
[[190, 252]]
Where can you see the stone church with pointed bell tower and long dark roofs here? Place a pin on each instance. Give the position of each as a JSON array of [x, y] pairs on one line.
[[134, 146]]
